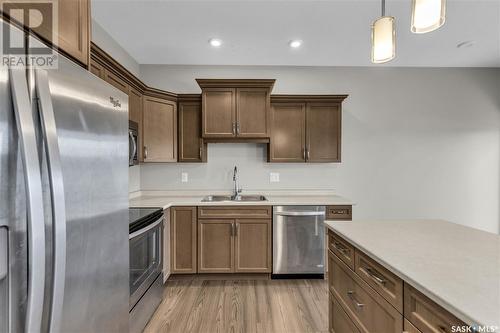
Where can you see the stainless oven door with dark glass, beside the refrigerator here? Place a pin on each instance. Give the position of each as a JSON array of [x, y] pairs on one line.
[[145, 259]]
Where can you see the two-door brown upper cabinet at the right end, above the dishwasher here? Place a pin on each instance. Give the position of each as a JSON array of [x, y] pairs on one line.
[[306, 128]]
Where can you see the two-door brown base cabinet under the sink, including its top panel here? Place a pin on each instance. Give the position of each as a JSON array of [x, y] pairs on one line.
[[234, 239]]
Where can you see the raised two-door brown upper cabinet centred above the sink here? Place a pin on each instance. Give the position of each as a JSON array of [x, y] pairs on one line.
[[235, 108]]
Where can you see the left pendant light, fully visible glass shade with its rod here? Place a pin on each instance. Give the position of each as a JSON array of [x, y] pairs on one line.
[[383, 38]]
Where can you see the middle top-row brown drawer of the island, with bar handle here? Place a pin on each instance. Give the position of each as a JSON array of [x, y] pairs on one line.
[[379, 278]]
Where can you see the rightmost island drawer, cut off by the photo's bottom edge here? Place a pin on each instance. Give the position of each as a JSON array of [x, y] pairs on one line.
[[426, 315]]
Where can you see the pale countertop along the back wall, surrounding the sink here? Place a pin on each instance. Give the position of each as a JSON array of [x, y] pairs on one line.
[[166, 199]]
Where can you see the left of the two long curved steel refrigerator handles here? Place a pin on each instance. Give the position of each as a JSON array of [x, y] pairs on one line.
[[34, 200]]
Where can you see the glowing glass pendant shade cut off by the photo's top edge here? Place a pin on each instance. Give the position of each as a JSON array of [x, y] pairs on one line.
[[427, 15]]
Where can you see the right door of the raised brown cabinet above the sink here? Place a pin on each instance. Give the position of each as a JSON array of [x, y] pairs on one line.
[[252, 112]]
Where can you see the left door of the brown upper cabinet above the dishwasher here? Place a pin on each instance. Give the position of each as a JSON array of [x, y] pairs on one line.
[[288, 132]]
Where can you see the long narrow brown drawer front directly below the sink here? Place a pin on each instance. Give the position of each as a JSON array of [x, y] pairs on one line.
[[231, 212]]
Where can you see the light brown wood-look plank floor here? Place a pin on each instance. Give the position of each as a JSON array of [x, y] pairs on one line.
[[206, 306]]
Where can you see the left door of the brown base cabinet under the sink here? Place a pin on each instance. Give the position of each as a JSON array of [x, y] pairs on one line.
[[215, 246]]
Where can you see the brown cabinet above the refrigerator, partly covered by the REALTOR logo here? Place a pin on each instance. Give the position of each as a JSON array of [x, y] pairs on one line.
[[73, 31]]
